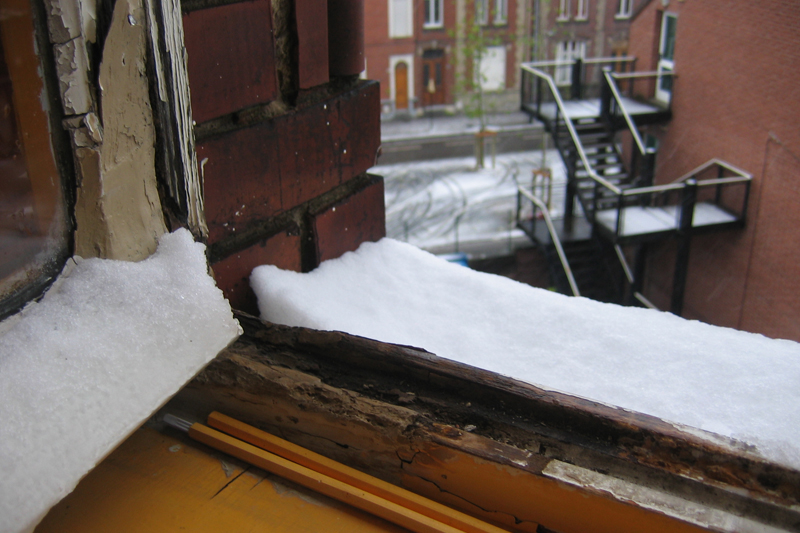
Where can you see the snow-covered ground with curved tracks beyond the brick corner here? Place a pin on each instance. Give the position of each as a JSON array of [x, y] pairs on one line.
[[447, 205]]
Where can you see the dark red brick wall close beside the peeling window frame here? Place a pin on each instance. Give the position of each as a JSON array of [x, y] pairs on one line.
[[285, 135]]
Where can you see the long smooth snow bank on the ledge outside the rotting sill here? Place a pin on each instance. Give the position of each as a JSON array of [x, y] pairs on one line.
[[733, 383]]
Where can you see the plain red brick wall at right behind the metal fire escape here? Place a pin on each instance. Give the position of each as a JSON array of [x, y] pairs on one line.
[[734, 98]]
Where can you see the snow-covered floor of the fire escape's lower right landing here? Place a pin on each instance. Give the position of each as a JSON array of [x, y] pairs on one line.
[[651, 223]]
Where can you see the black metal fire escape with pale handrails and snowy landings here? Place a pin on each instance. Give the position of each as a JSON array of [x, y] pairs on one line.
[[613, 210]]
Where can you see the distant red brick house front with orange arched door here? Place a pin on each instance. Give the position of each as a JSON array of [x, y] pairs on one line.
[[416, 49]]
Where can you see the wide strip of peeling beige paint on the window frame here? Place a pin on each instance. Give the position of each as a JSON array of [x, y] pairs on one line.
[[125, 182]]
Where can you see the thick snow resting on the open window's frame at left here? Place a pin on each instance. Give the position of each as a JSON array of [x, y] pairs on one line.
[[84, 367]]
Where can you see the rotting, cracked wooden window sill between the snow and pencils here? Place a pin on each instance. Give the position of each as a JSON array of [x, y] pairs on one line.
[[387, 409]]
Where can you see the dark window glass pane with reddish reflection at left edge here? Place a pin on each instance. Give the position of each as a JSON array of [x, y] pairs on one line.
[[34, 237]]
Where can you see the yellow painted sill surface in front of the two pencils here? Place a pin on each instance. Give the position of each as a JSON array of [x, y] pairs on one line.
[[156, 483]]
